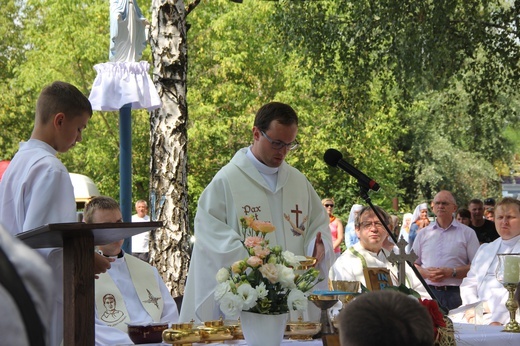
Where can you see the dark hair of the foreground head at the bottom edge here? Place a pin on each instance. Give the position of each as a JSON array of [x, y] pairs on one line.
[[385, 318]]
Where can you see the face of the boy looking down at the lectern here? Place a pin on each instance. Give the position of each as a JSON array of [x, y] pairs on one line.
[[69, 130]]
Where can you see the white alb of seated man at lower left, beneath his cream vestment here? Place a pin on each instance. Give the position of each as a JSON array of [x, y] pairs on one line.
[[106, 335]]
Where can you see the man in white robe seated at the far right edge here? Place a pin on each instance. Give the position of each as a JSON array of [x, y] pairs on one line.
[[481, 284]]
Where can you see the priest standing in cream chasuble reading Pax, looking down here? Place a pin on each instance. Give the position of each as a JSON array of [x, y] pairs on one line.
[[258, 182]]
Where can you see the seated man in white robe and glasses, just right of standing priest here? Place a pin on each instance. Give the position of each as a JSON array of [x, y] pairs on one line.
[[370, 252]]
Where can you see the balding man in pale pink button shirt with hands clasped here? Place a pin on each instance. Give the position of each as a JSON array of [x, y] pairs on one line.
[[445, 249]]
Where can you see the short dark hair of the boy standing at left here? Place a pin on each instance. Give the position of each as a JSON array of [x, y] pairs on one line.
[[61, 97]]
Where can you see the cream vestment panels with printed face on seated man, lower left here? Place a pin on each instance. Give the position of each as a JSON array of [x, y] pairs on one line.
[[110, 303]]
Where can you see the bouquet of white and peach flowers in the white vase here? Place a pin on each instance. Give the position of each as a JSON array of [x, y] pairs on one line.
[[264, 282]]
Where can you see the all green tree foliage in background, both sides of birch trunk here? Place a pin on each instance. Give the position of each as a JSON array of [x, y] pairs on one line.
[[420, 95]]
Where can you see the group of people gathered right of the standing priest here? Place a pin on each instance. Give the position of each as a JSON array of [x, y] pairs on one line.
[[456, 252]]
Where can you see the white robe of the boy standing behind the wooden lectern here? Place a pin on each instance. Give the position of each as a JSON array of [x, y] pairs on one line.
[[36, 190]]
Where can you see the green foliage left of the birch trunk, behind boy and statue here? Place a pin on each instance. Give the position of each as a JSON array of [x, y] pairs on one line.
[[63, 40]]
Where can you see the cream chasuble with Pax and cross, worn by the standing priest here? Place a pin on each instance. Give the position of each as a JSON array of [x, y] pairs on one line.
[[238, 190]]
